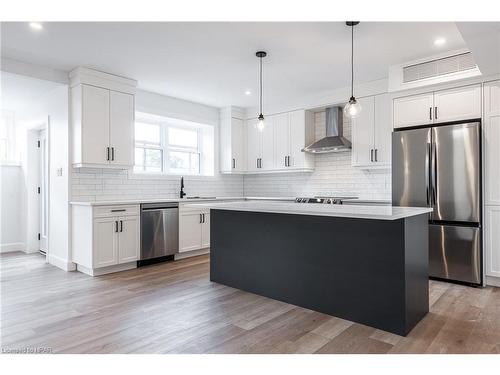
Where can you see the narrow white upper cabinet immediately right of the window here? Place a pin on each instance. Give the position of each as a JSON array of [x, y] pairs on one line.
[[232, 141]]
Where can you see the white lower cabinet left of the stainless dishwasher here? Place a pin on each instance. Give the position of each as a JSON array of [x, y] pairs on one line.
[[105, 238]]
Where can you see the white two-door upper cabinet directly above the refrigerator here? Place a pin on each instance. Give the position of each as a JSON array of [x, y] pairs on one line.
[[462, 103]]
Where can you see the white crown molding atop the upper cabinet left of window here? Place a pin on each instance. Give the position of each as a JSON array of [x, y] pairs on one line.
[[82, 75]]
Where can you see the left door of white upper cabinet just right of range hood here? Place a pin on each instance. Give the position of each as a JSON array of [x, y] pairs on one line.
[[362, 133]]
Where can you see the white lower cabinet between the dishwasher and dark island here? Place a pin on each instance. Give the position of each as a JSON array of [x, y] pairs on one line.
[[194, 229]]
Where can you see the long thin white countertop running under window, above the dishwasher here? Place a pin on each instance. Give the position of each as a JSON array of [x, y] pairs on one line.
[[183, 200]]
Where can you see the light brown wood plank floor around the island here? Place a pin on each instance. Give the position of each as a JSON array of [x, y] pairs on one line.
[[174, 308]]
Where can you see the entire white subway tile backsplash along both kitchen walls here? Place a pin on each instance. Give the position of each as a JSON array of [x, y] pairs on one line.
[[333, 175]]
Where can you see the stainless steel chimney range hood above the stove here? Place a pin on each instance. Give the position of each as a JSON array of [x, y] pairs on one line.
[[334, 140]]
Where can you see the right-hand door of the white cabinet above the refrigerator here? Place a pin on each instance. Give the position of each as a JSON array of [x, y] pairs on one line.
[[463, 103]]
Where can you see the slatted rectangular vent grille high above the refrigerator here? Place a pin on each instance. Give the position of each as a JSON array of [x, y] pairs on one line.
[[439, 67]]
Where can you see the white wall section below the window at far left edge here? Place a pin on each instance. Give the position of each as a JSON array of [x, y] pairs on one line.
[[12, 226]]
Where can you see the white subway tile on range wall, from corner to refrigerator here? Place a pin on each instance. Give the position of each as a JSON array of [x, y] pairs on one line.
[[333, 175]]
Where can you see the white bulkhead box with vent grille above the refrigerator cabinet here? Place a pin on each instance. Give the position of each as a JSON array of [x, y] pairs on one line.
[[434, 70]]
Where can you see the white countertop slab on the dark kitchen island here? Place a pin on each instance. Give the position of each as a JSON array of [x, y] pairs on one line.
[[352, 211]]
